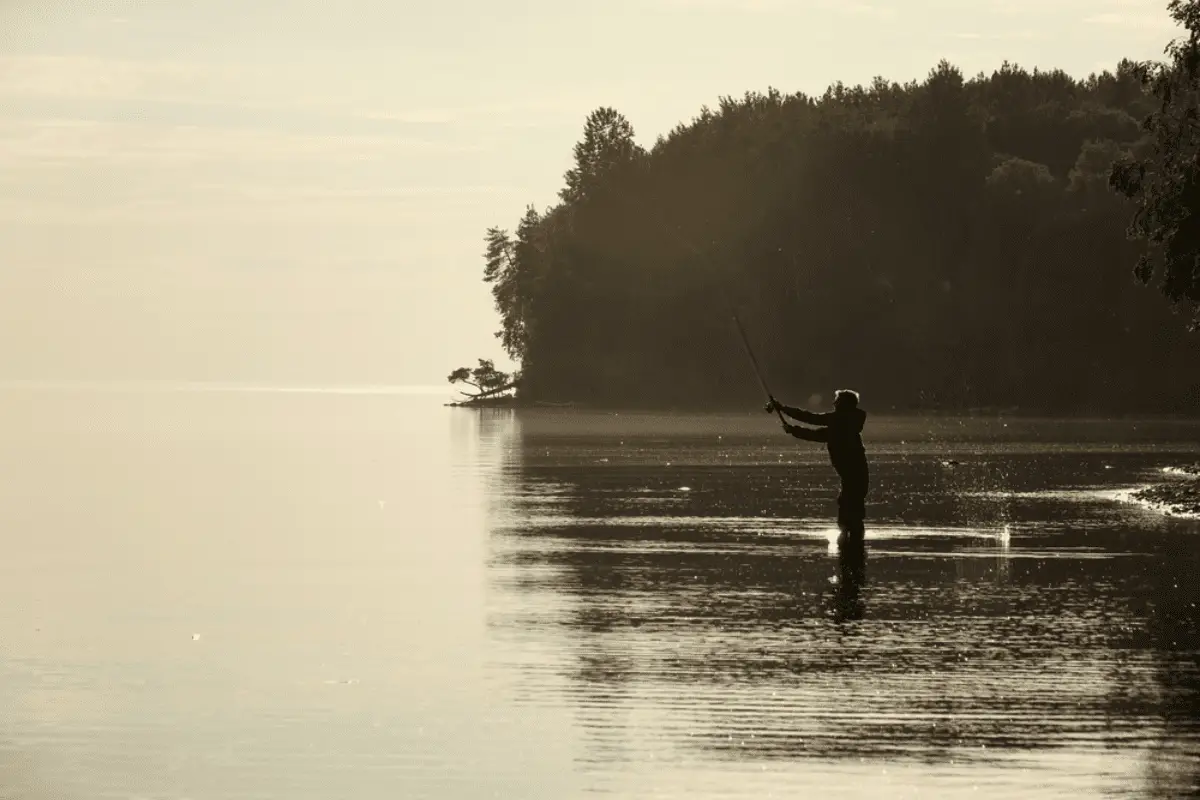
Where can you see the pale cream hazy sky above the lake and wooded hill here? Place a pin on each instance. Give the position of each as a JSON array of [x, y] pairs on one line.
[[297, 191]]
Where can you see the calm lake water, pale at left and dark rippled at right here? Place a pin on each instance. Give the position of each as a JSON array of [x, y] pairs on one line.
[[262, 594]]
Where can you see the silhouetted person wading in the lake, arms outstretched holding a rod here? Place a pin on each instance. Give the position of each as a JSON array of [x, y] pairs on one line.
[[842, 431]]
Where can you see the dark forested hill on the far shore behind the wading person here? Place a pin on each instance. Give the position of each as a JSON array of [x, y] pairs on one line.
[[940, 244]]
